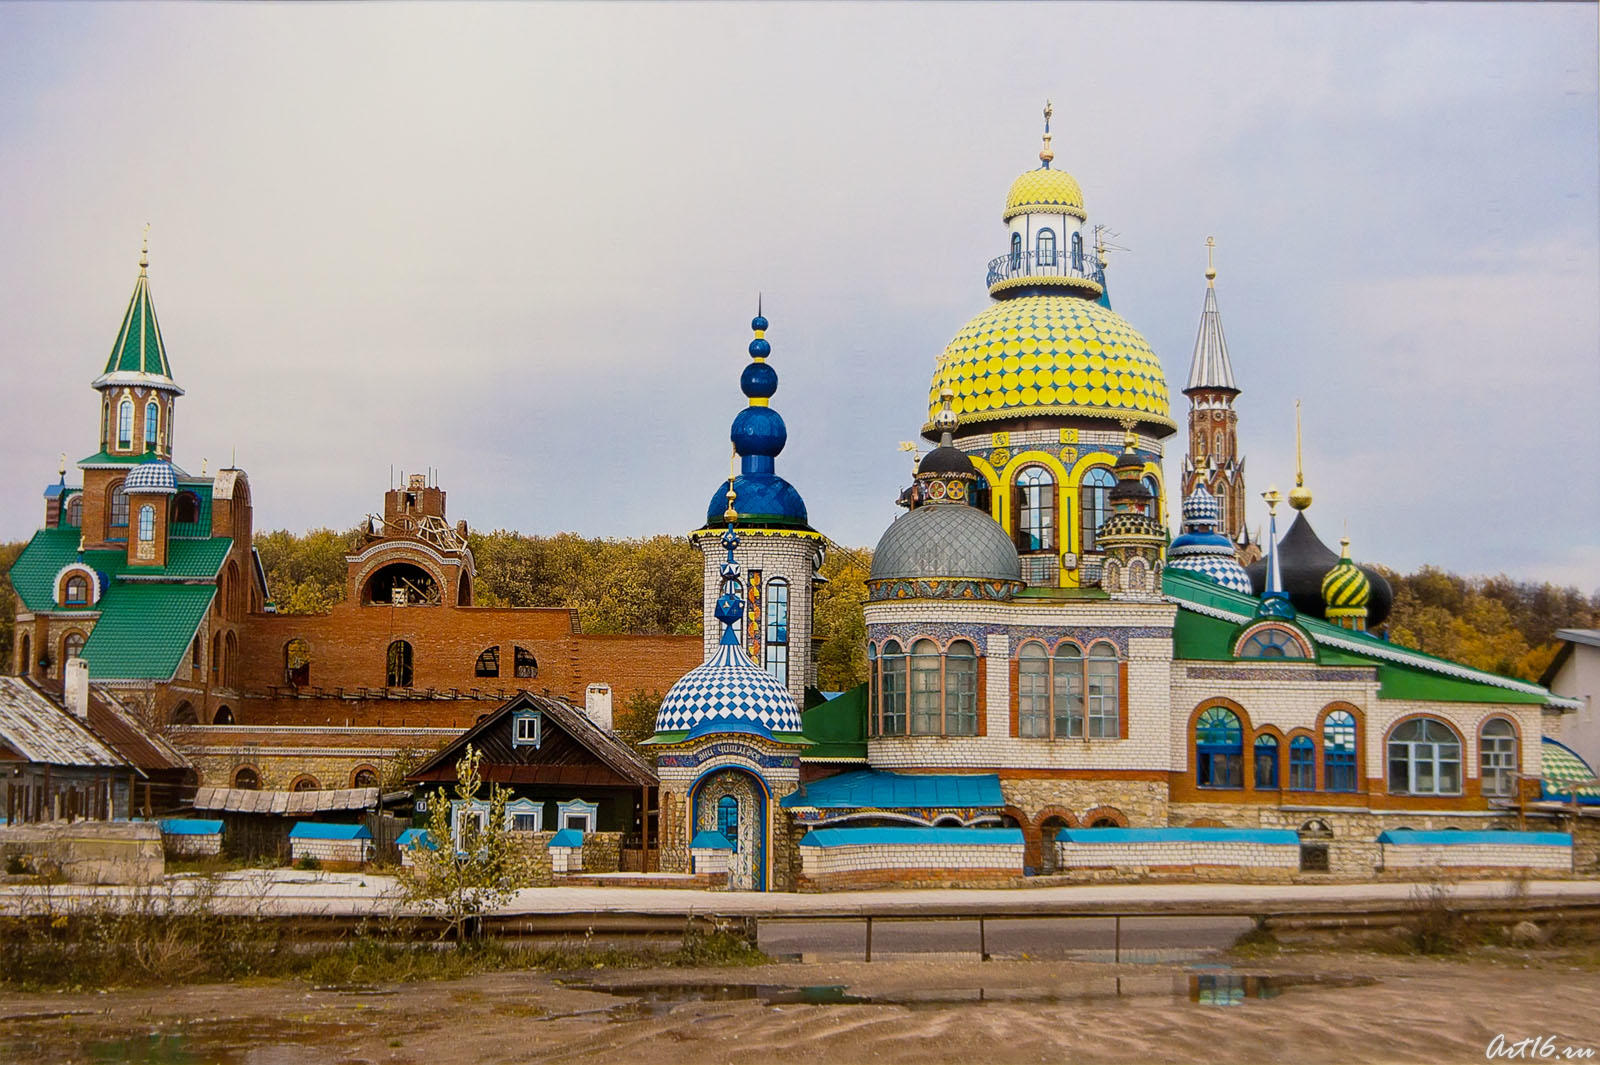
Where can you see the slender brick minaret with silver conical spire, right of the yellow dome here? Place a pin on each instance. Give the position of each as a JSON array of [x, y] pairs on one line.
[[1214, 423]]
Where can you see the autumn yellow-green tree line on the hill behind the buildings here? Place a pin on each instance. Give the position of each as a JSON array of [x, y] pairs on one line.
[[654, 586]]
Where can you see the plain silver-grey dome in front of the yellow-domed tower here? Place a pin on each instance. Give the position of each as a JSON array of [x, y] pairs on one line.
[[946, 541]]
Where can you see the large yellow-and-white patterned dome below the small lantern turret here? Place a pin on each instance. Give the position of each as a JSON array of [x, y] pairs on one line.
[[1052, 356]]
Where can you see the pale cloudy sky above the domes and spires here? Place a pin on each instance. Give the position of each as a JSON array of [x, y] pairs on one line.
[[522, 245]]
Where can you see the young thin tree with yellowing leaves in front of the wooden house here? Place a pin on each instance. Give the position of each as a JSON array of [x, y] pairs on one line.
[[479, 868]]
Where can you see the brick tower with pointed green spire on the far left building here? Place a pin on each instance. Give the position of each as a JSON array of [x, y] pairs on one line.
[[135, 426]]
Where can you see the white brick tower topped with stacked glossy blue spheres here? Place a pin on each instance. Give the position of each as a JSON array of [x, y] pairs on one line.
[[780, 552]]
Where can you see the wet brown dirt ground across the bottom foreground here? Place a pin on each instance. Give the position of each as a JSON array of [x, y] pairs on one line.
[[922, 1010]]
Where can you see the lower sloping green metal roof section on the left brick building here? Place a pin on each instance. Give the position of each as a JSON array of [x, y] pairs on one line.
[[145, 631]]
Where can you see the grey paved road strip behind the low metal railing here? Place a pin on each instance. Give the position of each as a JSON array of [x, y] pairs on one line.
[[1090, 939]]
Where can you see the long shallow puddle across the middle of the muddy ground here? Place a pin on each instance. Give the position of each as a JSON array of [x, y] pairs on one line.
[[1202, 989]]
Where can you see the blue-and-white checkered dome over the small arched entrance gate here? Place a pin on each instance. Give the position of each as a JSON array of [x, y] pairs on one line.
[[729, 693]]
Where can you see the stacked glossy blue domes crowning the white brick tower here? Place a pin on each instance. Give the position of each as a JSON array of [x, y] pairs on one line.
[[759, 436]]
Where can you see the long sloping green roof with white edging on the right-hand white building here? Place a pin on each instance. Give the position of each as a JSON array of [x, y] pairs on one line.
[[1210, 618]]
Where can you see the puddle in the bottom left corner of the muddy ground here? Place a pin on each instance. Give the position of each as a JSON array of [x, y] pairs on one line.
[[215, 1043]]
